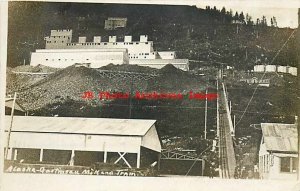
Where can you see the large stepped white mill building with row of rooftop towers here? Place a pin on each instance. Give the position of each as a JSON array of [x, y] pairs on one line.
[[61, 52]]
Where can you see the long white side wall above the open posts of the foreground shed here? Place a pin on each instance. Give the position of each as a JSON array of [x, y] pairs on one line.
[[75, 142]]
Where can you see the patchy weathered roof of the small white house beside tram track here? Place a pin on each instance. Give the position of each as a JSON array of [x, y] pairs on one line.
[[280, 137]]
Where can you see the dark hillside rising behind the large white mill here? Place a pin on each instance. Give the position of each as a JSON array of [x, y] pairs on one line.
[[196, 34]]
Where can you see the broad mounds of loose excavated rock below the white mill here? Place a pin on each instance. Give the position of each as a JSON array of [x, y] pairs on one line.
[[70, 83]]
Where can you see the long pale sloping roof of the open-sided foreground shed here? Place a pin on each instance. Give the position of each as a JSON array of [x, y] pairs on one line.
[[76, 125]]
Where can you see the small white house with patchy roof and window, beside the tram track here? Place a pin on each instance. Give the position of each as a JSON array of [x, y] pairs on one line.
[[278, 153]]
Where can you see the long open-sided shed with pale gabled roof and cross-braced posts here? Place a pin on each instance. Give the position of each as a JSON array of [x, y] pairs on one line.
[[132, 143]]
